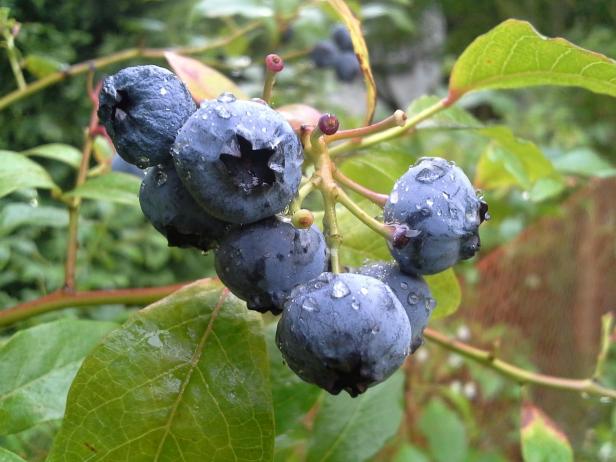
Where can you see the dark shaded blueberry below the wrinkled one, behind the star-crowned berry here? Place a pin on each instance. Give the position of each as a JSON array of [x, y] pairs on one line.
[[174, 213]]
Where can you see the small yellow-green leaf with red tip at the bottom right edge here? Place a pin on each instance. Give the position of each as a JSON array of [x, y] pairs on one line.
[[542, 440]]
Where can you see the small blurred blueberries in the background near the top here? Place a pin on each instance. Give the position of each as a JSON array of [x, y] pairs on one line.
[[337, 53]]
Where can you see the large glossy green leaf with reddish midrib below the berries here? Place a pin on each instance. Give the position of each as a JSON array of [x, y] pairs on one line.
[[185, 379]]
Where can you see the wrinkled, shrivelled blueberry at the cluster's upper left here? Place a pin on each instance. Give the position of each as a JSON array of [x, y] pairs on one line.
[[142, 109]]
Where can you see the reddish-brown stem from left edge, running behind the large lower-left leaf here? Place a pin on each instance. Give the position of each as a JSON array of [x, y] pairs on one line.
[[69, 299]]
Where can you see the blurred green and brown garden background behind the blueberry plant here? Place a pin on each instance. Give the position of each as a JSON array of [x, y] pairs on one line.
[[454, 411]]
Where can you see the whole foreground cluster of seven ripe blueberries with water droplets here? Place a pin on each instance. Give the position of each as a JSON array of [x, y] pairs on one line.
[[219, 178]]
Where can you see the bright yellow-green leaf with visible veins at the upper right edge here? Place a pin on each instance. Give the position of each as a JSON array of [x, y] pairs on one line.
[[514, 55]]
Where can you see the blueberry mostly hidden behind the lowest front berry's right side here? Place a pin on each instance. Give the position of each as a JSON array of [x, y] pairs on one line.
[[412, 292]]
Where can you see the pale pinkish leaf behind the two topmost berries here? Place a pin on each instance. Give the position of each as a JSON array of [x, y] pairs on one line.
[[202, 81]]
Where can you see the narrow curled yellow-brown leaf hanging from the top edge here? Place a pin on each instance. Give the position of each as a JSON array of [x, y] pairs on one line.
[[361, 51]]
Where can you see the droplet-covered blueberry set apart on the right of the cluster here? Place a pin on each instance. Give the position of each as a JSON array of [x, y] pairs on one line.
[[438, 204]]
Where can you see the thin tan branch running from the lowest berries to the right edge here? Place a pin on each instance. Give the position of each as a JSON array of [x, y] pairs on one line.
[[518, 374]]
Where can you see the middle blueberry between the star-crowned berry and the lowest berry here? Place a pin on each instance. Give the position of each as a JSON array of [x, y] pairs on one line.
[[262, 262]]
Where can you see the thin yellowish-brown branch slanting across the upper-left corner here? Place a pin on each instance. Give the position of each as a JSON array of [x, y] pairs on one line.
[[115, 58]]
